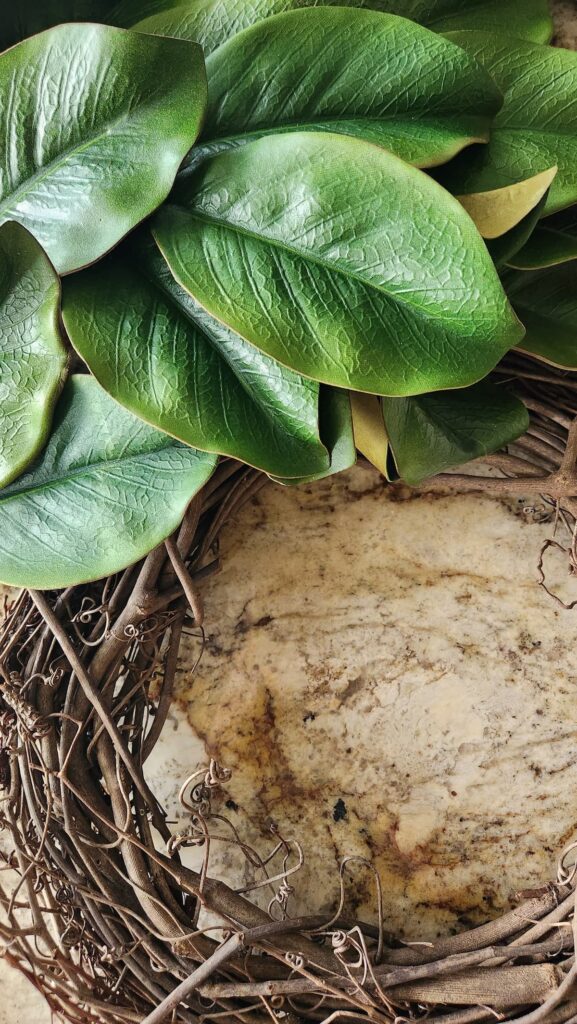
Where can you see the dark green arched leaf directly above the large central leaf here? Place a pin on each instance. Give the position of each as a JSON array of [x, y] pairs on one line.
[[376, 77]]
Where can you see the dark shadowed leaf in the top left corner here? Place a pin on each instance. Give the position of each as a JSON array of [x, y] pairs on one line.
[[26, 18]]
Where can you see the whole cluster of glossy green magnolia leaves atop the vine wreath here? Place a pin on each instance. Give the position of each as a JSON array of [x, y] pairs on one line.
[[280, 231]]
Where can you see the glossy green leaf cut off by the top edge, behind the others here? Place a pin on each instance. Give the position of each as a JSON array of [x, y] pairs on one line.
[[213, 22]]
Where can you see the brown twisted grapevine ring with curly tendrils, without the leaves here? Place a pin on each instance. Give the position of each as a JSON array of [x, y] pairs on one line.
[[107, 921]]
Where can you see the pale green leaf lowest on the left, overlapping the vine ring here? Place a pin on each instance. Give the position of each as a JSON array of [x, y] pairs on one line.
[[106, 491]]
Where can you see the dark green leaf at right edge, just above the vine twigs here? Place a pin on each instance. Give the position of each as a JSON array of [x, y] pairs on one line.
[[547, 302]]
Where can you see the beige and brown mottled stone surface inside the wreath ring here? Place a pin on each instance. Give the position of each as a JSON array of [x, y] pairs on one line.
[[387, 680]]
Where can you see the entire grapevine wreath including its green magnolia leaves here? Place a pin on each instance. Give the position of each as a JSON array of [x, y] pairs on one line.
[[245, 241]]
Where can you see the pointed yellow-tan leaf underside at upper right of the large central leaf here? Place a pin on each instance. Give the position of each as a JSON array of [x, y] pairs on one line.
[[500, 210]]
